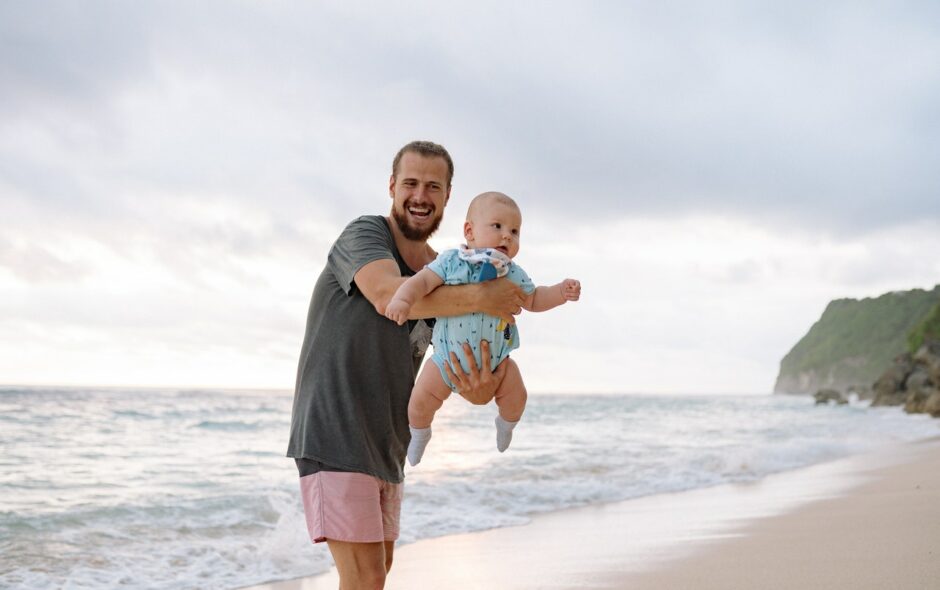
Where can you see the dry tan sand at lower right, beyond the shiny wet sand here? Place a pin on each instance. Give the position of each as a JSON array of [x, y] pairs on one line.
[[883, 532]]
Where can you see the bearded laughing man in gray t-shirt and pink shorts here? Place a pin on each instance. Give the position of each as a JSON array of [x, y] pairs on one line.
[[349, 426]]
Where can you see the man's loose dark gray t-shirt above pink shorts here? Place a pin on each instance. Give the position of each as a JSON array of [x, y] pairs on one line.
[[357, 367]]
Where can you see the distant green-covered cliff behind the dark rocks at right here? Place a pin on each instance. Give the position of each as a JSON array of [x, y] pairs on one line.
[[854, 340]]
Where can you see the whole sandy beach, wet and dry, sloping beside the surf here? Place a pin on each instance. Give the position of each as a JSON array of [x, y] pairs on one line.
[[867, 521]]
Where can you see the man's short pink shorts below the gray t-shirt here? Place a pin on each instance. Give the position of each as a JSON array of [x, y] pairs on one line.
[[352, 507]]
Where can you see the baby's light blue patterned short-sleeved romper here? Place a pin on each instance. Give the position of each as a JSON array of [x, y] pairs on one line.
[[464, 266]]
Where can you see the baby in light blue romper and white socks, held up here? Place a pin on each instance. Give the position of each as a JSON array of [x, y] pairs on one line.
[[492, 234]]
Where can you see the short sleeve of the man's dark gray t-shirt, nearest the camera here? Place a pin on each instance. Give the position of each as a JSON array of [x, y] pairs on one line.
[[364, 240]]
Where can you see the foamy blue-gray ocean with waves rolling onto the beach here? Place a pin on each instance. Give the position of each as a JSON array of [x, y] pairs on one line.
[[178, 489]]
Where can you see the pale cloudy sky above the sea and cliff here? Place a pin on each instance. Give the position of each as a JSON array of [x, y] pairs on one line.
[[173, 174]]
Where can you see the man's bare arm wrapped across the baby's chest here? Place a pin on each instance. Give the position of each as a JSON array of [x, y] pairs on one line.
[[379, 280]]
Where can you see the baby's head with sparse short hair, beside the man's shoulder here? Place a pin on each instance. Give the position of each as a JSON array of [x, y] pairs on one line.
[[493, 221]]
